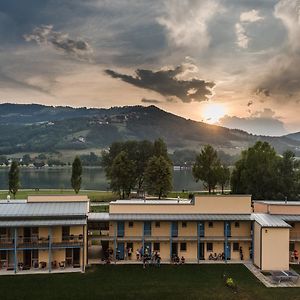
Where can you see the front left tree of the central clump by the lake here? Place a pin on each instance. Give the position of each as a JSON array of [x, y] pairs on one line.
[[122, 175]]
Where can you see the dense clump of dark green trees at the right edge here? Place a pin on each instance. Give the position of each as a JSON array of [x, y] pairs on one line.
[[264, 174]]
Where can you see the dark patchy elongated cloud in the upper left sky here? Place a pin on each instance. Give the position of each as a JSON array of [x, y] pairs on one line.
[[45, 35]]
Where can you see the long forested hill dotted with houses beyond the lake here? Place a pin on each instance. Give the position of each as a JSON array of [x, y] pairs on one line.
[[38, 128]]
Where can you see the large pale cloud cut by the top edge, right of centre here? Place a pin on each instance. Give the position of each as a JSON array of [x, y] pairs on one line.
[[186, 22]]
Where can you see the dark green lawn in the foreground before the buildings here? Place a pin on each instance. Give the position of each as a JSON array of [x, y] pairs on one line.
[[133, 282]]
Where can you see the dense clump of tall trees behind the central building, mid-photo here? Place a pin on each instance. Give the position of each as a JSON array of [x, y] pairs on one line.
[[140, 165]]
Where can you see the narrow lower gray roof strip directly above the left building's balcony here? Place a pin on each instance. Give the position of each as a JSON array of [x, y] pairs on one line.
[[29, 223]]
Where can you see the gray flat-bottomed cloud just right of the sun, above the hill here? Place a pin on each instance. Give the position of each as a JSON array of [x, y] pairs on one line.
[[260, 122]]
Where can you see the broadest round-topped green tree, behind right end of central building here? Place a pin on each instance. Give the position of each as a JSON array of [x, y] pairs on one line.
[[256, 173]]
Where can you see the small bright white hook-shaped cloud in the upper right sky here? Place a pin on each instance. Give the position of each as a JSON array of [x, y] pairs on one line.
[[247, 17]]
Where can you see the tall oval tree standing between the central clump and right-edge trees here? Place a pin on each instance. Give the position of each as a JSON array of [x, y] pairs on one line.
[[206, 167]]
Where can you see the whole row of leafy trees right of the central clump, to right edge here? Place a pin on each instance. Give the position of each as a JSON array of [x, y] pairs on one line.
[[260, 172]]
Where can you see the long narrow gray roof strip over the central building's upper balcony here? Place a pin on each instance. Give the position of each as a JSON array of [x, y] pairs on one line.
[[168, 217]]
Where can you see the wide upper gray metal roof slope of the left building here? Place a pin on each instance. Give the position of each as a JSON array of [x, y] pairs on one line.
[[20, 209]]
